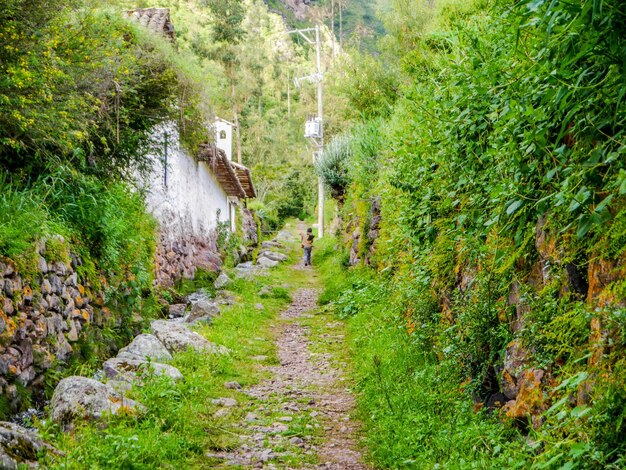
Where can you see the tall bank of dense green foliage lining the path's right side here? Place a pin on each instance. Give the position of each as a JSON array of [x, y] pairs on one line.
[[501, 171]]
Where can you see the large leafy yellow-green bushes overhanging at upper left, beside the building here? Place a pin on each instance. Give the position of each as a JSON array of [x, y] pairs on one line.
[[86, 87]]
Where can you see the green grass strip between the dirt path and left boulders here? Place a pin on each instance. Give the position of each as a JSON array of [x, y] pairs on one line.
[[179, 426]]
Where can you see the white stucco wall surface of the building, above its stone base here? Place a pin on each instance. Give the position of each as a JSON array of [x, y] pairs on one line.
[[185, 200]]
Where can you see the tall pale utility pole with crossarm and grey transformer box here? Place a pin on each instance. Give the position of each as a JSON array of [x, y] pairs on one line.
[[316, 137]]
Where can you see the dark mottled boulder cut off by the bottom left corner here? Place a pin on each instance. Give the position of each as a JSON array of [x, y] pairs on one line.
[[20, 447]]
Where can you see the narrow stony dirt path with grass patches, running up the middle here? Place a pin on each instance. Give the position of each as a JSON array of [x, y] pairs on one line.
[[301, 416]]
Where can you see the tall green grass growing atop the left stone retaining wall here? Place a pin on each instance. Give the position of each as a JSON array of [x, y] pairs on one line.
[[105, 222]]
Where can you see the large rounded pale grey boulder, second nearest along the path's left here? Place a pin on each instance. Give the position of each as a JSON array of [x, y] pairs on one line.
[[80, 397]]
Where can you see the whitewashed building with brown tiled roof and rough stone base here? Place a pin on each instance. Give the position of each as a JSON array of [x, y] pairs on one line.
[[191, 194]]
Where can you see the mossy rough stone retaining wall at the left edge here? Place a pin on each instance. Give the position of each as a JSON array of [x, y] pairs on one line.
[[43, 315]]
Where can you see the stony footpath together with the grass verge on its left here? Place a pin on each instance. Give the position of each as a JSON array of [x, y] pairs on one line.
[[279, 399]]
